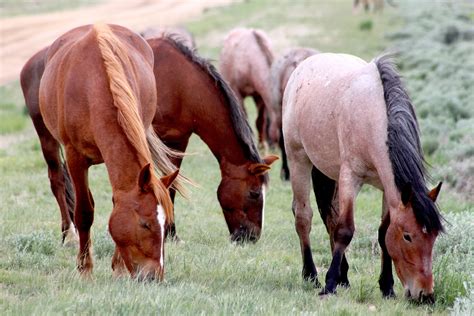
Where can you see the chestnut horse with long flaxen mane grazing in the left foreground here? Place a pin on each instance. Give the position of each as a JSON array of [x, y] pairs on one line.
[[97, 97]]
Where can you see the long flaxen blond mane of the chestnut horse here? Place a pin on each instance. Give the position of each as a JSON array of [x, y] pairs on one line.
[[115, 57]]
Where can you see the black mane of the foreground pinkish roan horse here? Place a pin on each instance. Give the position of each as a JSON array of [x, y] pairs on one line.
[[403, 141]]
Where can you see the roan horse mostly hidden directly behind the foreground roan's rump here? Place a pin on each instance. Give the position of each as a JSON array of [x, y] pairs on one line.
[[281, 70]]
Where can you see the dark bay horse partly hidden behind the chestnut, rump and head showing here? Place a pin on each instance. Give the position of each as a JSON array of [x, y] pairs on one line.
[[197, 100]]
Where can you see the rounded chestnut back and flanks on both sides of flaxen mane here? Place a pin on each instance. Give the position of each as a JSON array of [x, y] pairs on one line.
[[75, 98]]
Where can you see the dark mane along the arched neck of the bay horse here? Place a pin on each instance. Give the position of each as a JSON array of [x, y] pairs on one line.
[[239, 122]]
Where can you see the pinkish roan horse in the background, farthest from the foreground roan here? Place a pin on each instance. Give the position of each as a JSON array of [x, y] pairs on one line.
[[245, 63]]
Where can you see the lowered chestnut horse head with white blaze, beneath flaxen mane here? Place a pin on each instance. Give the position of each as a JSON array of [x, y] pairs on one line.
[[137, 224]]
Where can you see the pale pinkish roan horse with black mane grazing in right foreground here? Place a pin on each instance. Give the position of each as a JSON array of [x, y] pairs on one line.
[[352, 122]]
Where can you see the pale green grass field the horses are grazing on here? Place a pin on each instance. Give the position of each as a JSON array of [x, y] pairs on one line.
[[207, 274]]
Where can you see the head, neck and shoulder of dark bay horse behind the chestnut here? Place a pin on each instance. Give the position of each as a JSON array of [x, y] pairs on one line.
[[193, 98]]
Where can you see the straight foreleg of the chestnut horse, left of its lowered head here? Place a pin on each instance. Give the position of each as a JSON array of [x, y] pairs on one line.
[[84, 208]]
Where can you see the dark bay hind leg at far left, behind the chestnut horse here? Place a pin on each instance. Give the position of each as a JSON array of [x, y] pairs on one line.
[[59, 180]]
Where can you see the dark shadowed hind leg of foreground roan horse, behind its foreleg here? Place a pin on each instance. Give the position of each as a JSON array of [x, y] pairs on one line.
[[326, 193]]
